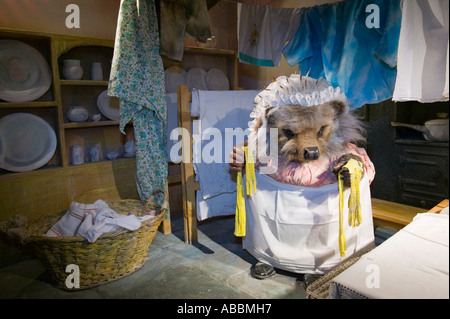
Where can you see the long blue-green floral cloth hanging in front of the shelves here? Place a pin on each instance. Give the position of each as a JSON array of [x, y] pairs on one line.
[[137, 79]]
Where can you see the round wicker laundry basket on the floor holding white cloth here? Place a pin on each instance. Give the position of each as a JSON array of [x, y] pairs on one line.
[[112, 256]]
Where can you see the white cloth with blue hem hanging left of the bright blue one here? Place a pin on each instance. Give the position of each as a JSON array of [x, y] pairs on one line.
[[263, 32]]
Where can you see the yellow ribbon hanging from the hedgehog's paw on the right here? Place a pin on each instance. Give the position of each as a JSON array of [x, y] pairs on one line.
[[354, 203]]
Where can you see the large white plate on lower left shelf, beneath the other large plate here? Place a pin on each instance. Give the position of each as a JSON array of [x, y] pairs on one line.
[[30, 142]]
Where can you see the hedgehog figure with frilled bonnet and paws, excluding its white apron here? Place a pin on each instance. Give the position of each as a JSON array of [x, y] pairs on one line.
[[316, 136]]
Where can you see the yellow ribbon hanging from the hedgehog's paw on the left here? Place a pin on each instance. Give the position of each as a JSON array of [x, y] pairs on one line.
[[250, 183]]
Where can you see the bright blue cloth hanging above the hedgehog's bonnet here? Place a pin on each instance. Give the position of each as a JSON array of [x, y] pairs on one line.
[[336, 42]]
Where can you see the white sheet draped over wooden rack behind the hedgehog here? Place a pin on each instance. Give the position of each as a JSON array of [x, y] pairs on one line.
[[218, 110]]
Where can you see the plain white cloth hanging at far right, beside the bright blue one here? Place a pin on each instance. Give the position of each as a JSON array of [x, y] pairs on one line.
[[423, 52]]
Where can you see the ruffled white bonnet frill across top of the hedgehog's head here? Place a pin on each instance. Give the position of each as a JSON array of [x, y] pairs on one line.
[[294, 90]]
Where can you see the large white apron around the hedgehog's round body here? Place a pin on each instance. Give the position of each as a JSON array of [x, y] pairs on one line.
[[296, 228]]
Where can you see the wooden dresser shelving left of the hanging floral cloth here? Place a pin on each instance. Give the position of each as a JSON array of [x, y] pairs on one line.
[[51, 188]]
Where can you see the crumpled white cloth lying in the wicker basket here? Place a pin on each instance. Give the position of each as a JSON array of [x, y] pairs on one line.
[[92, 220]]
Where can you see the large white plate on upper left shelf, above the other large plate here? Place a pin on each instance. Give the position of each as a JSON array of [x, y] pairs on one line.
[[24, 73]]
